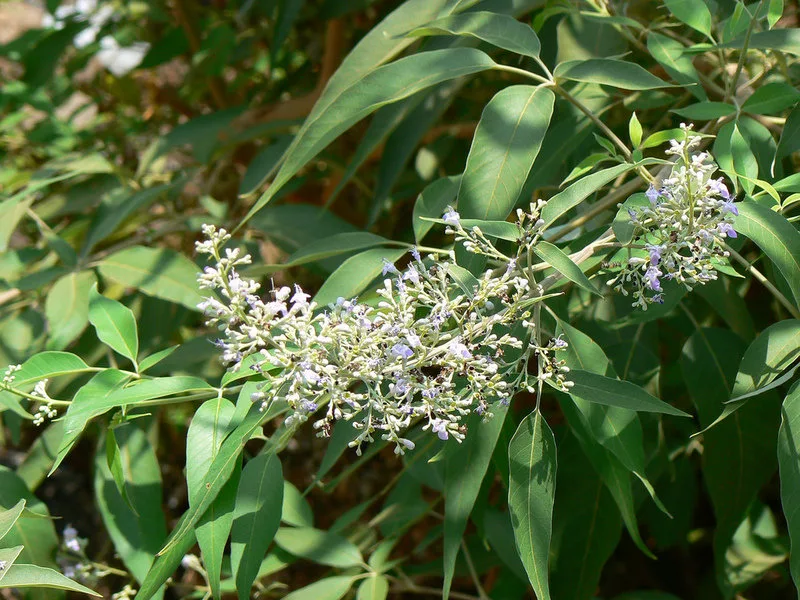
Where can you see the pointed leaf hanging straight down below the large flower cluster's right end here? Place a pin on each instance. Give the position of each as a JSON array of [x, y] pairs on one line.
[[531, 488]]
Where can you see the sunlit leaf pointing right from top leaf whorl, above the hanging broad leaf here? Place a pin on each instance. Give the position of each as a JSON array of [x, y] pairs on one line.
[[610, 71]]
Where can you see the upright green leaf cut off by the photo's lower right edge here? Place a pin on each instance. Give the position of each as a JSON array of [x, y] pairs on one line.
[[789, 463]]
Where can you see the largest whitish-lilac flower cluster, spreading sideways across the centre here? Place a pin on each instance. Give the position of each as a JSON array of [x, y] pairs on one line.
[[434, 346]]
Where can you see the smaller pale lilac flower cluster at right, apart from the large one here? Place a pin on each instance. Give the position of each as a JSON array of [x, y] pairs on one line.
[[680, 234]]
